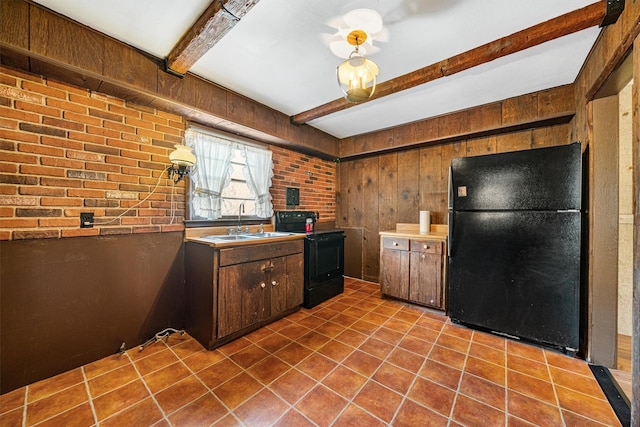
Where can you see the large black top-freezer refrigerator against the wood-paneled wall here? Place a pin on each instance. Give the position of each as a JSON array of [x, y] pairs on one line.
[[515, 244]]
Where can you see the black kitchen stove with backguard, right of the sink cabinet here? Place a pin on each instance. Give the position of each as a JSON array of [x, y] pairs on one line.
[[323, 256]]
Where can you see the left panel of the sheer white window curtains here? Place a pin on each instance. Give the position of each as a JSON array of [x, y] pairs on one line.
[[212, 173]]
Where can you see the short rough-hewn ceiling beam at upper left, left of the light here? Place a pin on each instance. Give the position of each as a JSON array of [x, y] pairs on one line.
[[216, 21]]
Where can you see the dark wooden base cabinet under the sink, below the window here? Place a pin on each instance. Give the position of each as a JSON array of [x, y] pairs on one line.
[[248, 287]]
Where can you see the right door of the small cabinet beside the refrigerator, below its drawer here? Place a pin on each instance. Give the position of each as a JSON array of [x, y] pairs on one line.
[[426, 279]]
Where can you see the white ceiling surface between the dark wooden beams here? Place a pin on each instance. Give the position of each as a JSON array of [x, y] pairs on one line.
[[278, 54]]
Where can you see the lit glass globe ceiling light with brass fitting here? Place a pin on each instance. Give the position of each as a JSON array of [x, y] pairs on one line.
[[357, 75]]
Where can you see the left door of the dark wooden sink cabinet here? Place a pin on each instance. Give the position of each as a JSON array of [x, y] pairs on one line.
[[242, 296]]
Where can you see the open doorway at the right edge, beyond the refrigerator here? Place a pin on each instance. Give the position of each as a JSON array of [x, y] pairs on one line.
[[612, 227]]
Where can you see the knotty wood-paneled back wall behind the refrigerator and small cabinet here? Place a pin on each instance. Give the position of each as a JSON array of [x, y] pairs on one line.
[[377, 192]]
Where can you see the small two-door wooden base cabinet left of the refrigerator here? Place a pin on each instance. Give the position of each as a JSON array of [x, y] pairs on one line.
[[413, 270]]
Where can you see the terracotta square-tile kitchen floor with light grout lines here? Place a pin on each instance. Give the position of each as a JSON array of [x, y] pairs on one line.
[[357, 360]]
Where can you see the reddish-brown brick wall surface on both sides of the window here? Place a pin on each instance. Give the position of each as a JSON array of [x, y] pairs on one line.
[[66, 150]]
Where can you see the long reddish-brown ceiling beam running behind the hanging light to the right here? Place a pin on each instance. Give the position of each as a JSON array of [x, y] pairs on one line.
[[563, 25]]
